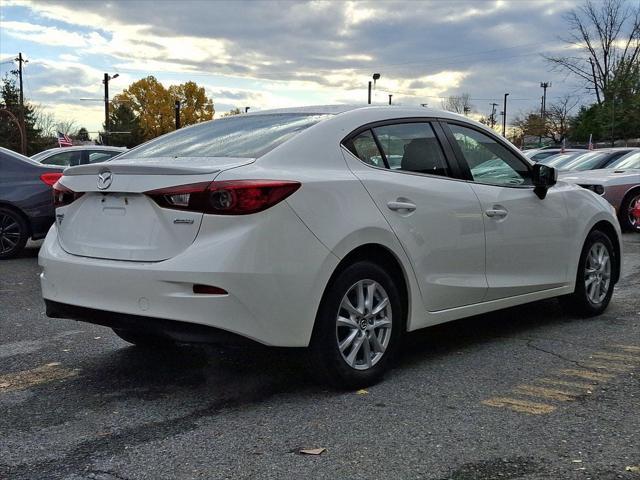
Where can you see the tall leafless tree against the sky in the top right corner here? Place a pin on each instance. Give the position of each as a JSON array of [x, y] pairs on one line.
[[607, 34]]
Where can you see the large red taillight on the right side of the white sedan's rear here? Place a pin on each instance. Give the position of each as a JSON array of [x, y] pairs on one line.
[[233, 197]]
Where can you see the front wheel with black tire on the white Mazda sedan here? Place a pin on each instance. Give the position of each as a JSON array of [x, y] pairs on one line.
[[594, 279]]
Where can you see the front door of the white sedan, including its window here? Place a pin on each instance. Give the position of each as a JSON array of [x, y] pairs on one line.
[[527, 241]]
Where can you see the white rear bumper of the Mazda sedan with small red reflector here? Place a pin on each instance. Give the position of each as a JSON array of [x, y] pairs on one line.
[[274, 272]]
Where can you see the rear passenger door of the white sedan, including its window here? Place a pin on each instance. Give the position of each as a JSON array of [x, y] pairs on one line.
[[436, 217]]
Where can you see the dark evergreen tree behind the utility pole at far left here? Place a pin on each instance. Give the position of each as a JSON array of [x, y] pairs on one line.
[[9, 132]]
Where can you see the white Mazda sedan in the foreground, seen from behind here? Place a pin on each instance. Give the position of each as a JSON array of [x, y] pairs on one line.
[[292, 228]]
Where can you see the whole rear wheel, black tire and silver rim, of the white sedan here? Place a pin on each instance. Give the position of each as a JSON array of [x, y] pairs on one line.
[[358, 327]]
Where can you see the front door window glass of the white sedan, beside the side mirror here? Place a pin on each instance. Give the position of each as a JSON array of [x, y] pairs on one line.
[[489, 161]]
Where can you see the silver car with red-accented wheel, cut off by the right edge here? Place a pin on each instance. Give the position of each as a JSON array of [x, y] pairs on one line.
[[619, 184]]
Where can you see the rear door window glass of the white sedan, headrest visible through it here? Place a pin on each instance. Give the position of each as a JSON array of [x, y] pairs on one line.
[[412, 147]]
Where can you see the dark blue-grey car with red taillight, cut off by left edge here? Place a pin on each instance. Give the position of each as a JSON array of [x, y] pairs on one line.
[[26, 201]]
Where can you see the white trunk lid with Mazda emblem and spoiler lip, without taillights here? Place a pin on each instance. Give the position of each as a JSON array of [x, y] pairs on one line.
[[114, 219]]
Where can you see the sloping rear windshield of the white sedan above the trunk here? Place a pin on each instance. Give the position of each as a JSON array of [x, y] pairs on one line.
[[244, 136]]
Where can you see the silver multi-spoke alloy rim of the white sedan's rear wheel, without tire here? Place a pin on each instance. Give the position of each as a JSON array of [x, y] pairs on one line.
[[363, 324]]
